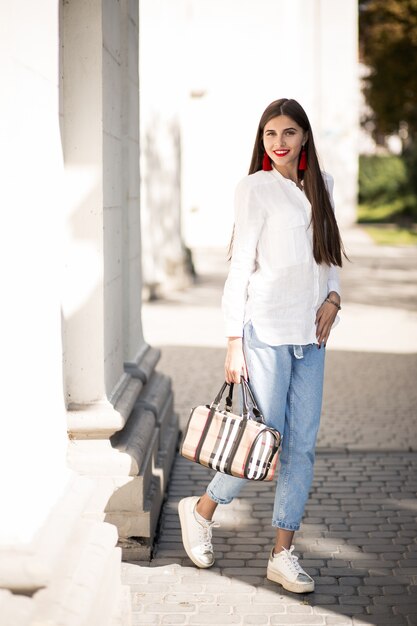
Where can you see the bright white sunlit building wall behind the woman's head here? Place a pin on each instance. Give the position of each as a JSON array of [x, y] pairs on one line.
[[215, 65]]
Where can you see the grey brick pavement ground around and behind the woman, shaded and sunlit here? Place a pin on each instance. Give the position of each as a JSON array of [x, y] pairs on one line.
[[359, 534]]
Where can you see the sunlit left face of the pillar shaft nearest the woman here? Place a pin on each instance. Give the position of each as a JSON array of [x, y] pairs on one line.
[[83, 292]]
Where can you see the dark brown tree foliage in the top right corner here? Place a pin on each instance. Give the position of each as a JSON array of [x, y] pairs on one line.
[[388, 45]]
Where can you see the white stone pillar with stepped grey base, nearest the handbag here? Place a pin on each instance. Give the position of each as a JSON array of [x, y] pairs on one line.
[[120, 414]]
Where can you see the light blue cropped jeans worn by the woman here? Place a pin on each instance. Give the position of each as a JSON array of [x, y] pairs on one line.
[[287, 382]]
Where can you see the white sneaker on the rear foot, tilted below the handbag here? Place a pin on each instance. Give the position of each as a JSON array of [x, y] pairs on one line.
[[196, 533]]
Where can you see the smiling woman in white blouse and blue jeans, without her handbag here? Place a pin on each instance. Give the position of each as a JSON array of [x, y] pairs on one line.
[[280, 302]]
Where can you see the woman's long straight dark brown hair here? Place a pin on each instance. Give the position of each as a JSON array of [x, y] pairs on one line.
[[327, 243]]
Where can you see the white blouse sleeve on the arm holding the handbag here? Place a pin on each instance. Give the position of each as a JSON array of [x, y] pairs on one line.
[[247, 228]]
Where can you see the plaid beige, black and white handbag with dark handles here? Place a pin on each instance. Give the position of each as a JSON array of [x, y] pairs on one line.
[[239, 445]]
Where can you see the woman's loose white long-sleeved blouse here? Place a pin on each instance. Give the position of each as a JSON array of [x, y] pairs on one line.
[[274, 280]]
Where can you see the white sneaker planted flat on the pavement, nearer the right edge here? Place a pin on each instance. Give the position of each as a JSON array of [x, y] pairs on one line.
[[284, 569]]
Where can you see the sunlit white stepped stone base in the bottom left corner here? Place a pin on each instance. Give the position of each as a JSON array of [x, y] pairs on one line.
[[80, 564]]
